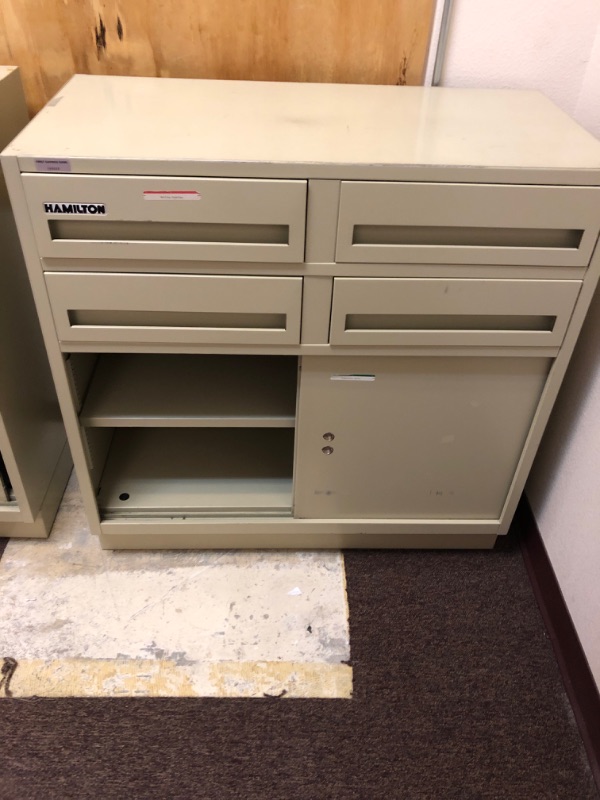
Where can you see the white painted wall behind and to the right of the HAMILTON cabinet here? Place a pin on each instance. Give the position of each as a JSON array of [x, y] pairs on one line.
[[553, 46]]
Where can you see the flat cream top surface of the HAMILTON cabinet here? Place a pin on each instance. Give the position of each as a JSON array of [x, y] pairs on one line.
[[325, 125]]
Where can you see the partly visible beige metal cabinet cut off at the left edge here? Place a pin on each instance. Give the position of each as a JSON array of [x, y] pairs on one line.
[[34, 458]]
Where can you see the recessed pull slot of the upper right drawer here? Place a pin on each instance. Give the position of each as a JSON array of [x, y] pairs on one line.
[[451, 236]]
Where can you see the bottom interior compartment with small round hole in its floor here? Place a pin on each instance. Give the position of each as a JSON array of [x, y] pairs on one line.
[[166, 472]]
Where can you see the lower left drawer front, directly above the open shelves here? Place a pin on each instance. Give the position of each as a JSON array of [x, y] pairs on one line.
[[175, 309]]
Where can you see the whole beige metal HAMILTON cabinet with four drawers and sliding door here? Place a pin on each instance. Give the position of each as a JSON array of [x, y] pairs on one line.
[[293, 315]]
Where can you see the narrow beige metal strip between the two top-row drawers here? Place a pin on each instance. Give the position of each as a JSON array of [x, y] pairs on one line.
[[322, 220]]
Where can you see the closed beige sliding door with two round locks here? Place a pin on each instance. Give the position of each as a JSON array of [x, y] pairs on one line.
[[409, 437]]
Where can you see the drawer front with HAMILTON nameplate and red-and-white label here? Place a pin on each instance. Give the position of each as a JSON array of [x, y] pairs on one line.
[[177, 218]]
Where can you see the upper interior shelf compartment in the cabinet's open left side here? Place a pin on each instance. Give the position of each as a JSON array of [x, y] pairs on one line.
[[145, 390]]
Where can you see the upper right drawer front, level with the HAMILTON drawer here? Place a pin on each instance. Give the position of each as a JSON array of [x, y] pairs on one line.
[[467, 224]]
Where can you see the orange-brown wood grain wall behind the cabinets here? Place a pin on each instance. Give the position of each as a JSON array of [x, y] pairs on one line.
[[346, 41]]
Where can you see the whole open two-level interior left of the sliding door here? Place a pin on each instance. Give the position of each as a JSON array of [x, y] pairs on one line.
[[188, 435]]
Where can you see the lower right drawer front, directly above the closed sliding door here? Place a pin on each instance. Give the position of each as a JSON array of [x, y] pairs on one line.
[[435, 311]]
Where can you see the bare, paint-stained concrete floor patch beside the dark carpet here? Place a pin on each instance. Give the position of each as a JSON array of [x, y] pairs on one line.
[[81, 621]]
